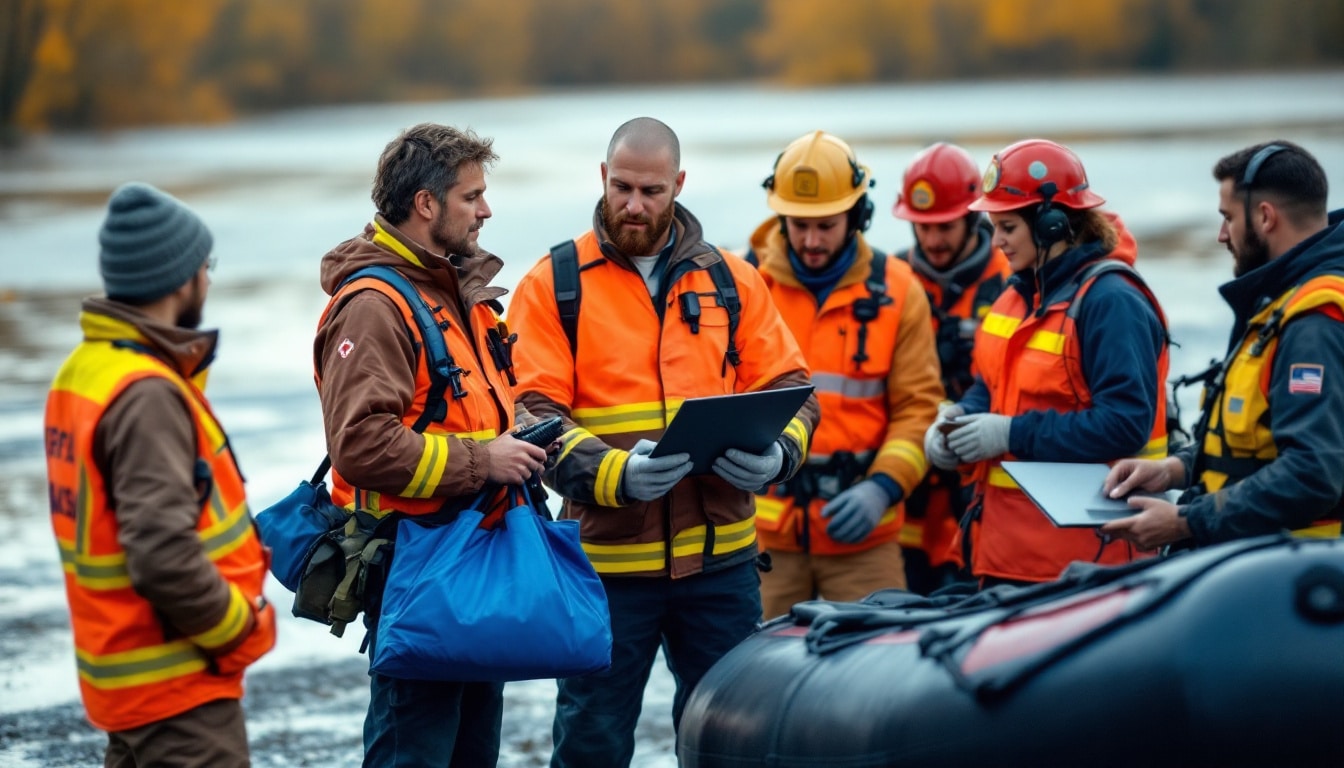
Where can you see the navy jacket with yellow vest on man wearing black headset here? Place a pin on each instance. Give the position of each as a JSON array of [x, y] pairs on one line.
[[1299, 493]]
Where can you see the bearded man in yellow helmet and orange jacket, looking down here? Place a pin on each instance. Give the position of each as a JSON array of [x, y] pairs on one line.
[[864, 322]]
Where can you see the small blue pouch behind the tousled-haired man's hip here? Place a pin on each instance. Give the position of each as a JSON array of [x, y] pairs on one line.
[[295, 525]]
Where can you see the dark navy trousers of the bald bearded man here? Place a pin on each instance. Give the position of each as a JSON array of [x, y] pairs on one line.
[[697, 621]]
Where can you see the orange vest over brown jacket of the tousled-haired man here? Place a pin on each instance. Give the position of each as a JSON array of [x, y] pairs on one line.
[[450, 400]]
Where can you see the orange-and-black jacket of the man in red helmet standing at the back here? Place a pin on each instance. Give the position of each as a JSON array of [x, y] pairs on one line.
[[959, 298]]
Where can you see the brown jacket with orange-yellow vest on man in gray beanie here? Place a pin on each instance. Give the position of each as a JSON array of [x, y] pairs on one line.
[[163, 566]]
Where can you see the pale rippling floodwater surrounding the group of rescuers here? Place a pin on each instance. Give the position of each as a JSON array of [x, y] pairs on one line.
[[279, 192]]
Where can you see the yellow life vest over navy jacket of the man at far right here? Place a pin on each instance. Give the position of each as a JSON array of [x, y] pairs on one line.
[[1240, 442]]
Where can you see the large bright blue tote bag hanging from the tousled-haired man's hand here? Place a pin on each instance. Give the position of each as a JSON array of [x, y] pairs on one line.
[[513, 603]]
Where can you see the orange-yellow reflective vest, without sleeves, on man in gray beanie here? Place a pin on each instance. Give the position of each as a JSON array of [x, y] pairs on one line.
[[134, 670]]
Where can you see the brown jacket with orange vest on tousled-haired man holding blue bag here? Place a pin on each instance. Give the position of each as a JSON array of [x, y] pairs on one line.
[[372, 375]]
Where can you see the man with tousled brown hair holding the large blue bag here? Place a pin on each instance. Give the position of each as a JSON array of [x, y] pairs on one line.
[[393, 447]]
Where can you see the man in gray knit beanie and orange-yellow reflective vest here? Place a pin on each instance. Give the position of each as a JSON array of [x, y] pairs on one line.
[[165, 572]]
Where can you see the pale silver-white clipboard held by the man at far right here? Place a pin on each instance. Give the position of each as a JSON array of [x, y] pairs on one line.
[[1070, 494]]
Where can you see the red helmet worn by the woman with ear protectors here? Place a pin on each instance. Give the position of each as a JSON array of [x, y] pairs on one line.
[[1022, 176]]
